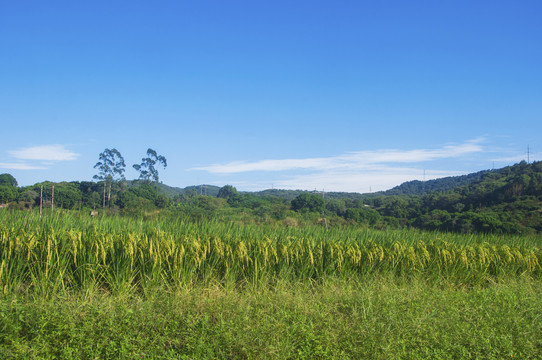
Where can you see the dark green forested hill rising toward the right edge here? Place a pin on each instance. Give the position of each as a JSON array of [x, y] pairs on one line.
[[505, 200]]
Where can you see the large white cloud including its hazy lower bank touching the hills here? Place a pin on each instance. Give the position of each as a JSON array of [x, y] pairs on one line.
[[358, 171]]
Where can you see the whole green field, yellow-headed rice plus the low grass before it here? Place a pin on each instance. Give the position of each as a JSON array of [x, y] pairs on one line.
[[72, 287]]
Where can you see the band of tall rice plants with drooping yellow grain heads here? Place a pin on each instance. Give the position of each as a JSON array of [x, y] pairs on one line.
[[70, 251]]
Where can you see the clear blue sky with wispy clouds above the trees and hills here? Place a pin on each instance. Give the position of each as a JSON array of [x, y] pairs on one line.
[[334, 95]]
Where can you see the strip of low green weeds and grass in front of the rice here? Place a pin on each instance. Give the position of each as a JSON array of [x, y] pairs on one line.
[[380, 319]]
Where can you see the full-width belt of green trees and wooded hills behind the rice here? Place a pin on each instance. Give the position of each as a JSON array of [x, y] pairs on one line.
[[507, 200]]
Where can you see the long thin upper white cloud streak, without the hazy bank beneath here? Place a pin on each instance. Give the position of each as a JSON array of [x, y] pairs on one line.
[[359, 160]]
